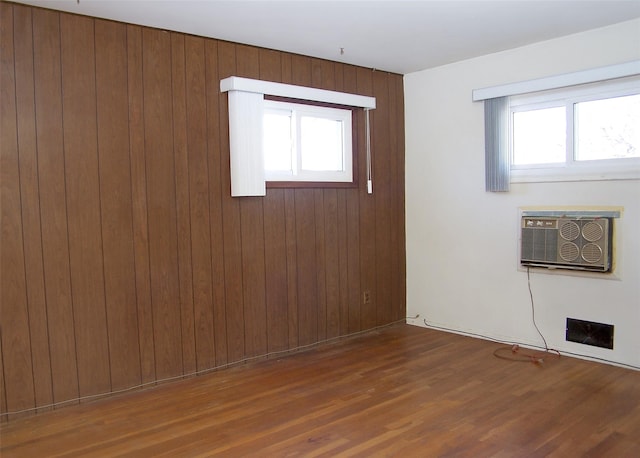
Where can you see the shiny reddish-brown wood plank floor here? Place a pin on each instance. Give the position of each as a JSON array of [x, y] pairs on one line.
[[398, 391]]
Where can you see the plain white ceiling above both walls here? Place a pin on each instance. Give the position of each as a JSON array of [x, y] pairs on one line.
[[397, 36]]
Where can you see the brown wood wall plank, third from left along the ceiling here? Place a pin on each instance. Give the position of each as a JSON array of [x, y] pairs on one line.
[[53, 207]]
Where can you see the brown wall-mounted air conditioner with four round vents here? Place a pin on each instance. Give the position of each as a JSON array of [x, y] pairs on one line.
[[579, 243]]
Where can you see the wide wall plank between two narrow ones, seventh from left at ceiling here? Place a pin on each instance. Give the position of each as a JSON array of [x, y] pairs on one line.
[[161, 198]]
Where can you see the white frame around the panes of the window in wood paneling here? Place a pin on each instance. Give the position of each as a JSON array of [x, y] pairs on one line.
[[298, 174]]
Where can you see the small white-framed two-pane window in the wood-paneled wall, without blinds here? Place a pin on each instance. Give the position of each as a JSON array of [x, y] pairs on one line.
[[307, 143]]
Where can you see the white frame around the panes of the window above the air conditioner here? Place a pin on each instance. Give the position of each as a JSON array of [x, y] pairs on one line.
[[572, 169]]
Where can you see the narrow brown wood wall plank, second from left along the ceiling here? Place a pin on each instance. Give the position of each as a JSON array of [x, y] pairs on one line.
[[29, 196]]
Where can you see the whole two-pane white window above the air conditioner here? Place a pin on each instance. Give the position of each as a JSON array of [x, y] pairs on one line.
[[581, 131]]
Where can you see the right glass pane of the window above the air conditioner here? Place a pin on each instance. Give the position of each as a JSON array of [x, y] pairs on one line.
[[607, 128]]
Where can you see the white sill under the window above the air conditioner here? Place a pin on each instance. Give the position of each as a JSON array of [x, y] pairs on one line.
[[577, 173]]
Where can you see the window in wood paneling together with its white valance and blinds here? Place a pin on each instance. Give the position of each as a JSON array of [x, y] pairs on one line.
[[309, 142]]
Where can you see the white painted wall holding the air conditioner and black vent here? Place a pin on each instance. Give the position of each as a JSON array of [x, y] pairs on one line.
[[462, 242]]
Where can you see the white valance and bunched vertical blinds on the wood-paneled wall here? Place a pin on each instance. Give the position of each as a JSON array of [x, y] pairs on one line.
[[245, 130]]
